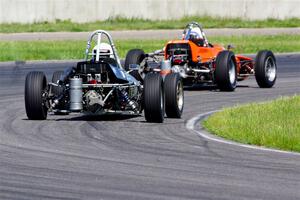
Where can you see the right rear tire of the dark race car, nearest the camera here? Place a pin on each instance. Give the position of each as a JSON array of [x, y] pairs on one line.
[[154, 102]]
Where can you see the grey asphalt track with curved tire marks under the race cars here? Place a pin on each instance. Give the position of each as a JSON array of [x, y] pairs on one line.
[[77, 157]]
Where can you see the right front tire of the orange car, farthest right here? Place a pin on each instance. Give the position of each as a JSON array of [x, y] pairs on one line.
[[265, 69]]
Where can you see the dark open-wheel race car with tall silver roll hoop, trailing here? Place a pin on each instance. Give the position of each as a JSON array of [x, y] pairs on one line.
[[99, 85]]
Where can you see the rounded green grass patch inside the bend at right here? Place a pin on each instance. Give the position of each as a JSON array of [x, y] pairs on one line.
[[272, 124]]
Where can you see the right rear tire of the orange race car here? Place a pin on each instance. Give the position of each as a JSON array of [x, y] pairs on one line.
[[226, 71]]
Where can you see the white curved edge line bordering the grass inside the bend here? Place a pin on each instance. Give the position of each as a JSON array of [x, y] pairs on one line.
[[190, 125]]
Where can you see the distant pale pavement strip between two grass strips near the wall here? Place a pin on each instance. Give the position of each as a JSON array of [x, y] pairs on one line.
[[146, 34]]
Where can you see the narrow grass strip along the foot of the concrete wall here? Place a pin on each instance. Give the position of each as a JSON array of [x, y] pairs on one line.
[[120, 23]]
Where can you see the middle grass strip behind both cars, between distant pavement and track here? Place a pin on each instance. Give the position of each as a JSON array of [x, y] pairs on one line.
[[59, 50]]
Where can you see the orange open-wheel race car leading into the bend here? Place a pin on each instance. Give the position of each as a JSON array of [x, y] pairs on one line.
[[200, 62]]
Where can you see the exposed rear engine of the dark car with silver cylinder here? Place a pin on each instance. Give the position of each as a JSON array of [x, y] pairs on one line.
[[94, 88]]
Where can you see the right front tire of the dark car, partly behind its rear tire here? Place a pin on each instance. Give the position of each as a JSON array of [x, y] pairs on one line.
[[174, 96]]
